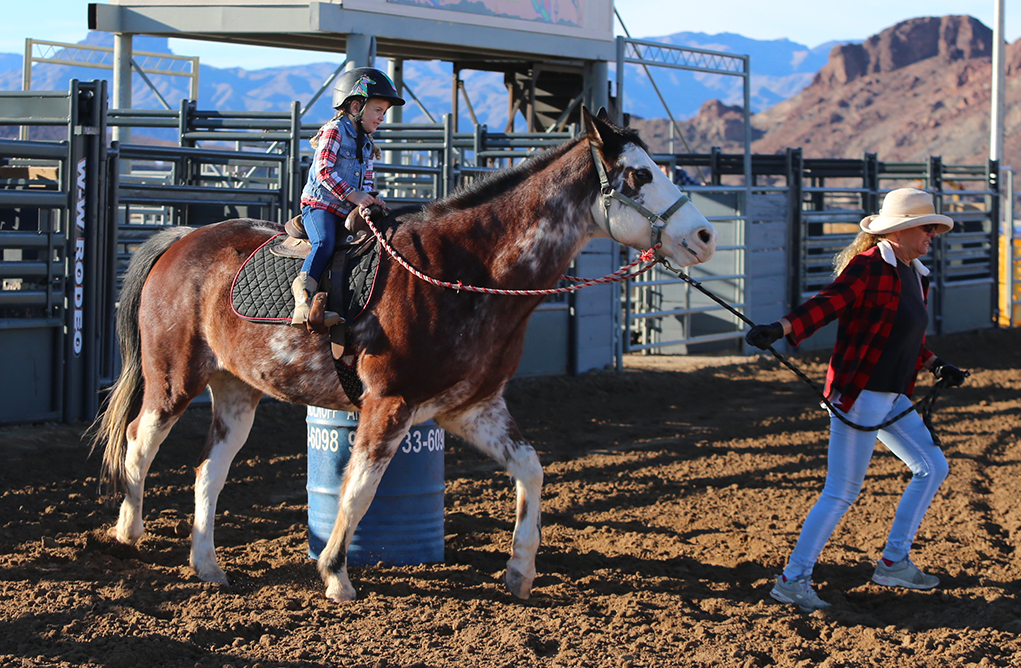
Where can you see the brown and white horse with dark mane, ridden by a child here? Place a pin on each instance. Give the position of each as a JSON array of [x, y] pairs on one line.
[[518, 228]]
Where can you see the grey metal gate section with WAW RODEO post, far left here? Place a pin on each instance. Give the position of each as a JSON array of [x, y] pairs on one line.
[[57, 305]]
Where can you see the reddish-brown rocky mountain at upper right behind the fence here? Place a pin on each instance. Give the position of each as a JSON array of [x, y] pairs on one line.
[[917, 89]]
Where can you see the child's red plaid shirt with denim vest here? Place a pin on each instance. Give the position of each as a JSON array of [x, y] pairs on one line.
[[334, 169]]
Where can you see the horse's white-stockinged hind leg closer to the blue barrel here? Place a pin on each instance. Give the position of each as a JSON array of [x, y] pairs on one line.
[[234, 405]]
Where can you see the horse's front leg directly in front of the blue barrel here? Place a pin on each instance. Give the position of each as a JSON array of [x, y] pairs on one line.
[[382, 425]]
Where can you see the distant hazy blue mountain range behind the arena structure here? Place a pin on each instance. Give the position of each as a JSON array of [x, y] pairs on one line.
[[785, 69]]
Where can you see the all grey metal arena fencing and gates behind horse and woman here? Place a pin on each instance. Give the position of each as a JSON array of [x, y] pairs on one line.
[[74, 210]]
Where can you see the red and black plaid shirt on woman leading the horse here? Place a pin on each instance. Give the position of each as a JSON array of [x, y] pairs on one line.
[[865, 298]]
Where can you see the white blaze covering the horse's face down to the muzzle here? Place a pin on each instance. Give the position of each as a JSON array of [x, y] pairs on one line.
[[688, 237]]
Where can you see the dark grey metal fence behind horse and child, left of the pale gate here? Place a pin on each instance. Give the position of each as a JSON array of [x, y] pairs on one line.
[[74, 211]]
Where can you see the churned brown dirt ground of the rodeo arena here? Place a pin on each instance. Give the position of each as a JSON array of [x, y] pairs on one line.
[[674, 493]]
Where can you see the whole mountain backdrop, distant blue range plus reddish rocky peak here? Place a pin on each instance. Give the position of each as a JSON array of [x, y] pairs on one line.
[[916, 89]]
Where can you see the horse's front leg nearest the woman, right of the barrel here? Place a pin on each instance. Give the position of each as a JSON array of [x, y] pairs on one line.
[[491, 428]]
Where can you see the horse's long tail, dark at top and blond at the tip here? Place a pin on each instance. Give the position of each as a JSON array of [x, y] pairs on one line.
[[125, 400]]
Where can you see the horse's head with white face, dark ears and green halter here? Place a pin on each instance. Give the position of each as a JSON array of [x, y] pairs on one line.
[[639, 206]]
